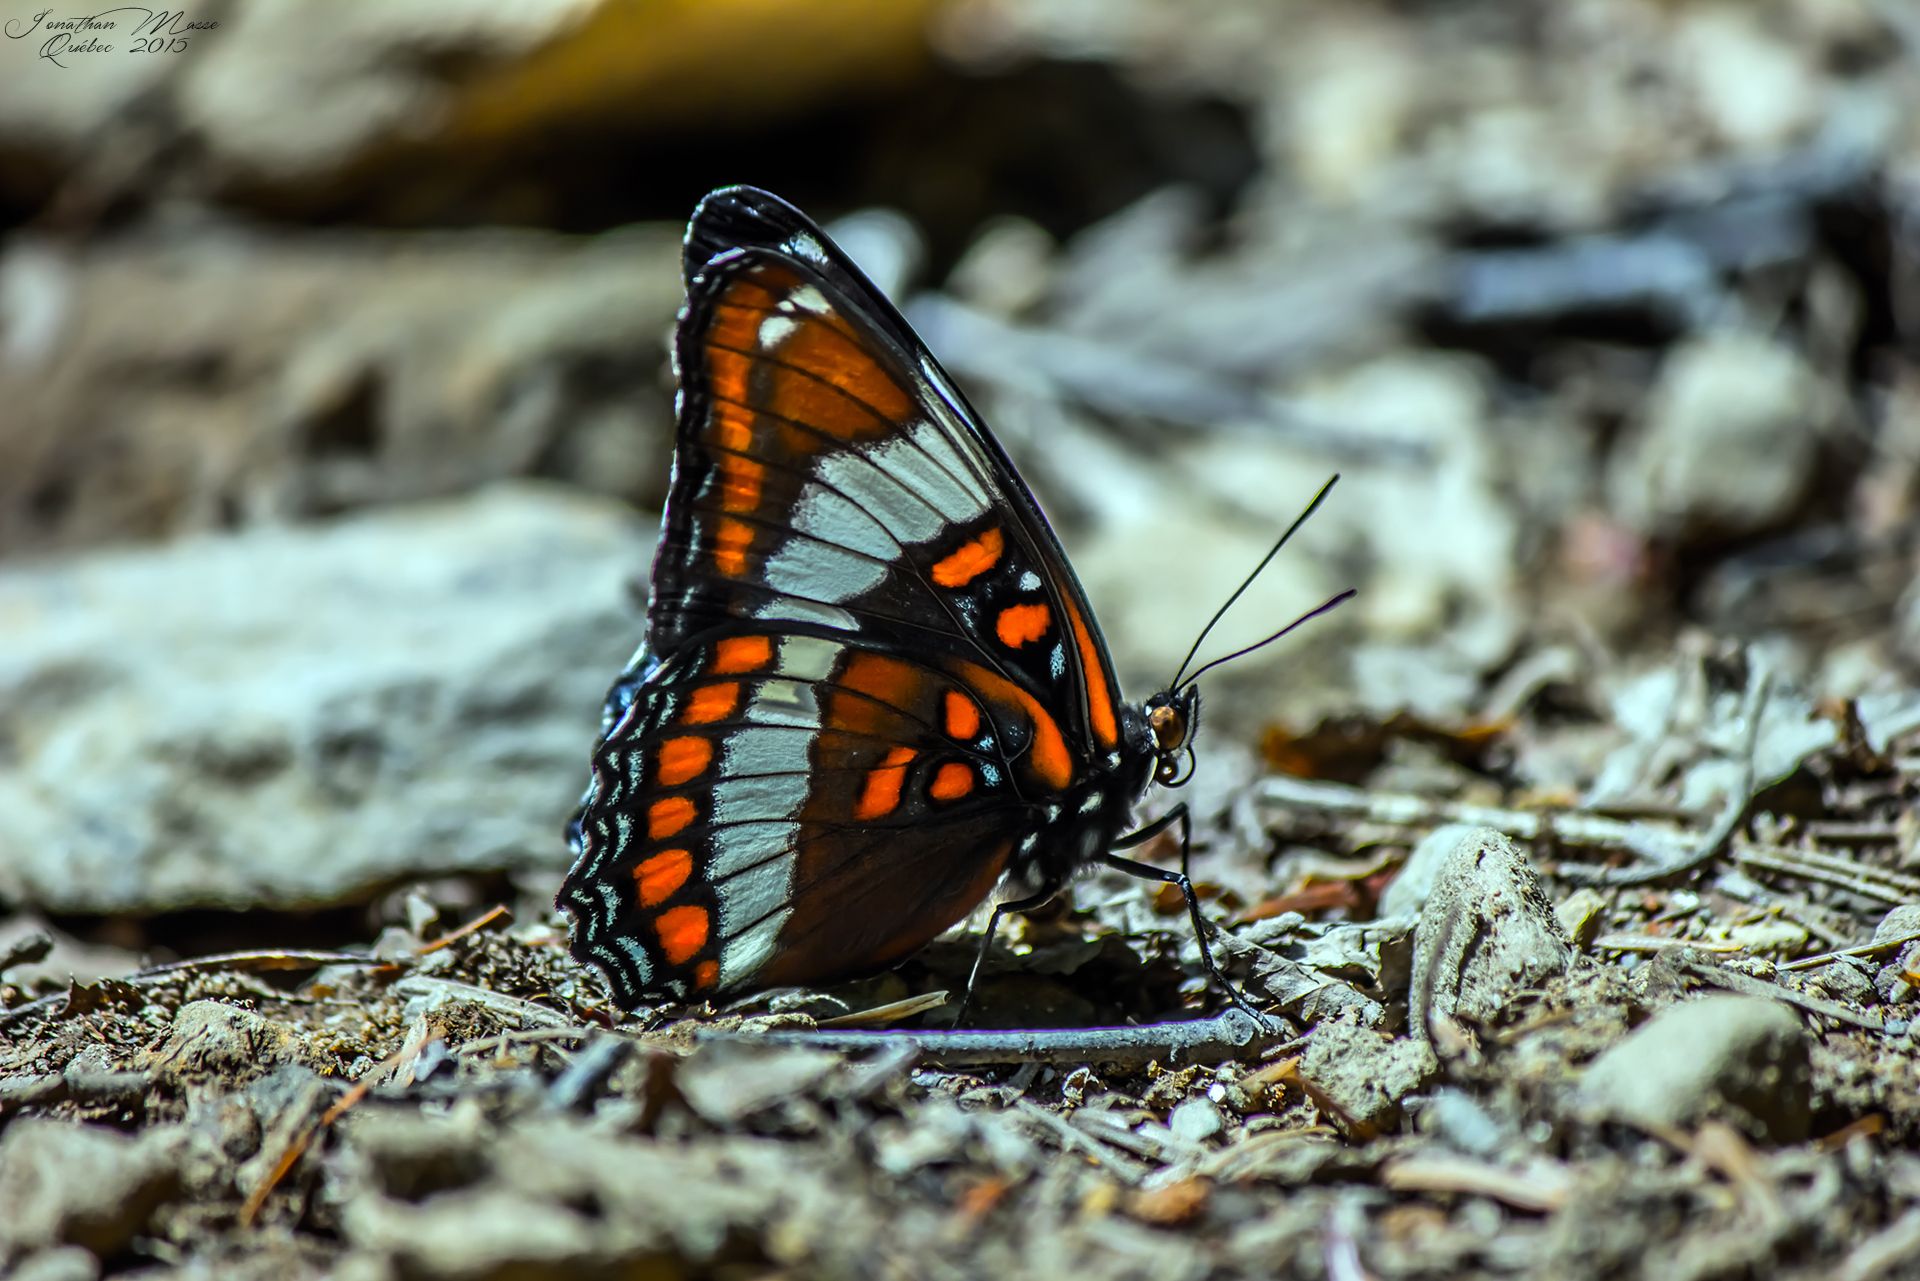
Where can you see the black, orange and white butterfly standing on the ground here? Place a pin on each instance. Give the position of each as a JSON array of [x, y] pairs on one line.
[[871, 689]]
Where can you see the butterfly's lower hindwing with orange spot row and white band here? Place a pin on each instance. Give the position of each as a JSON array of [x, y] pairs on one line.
[[748, 817]]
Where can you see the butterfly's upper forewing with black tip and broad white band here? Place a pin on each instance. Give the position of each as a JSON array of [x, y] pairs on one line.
[[834, 475]]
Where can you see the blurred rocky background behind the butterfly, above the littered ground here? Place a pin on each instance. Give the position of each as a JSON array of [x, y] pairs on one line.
[[337, 412]]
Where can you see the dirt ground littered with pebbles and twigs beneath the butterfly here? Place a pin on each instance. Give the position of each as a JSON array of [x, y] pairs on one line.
[[475, 1109]]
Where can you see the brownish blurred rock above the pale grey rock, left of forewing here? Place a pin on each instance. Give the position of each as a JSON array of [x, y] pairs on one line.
[[204, 379]]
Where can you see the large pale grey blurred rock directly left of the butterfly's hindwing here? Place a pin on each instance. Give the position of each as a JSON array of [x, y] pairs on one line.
[[300, 717]]
